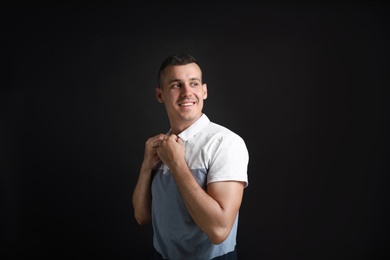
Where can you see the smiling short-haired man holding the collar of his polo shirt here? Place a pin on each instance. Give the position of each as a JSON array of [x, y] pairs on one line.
[[192, 179]]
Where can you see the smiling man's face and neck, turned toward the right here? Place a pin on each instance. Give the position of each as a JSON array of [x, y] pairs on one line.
[[183, 93]]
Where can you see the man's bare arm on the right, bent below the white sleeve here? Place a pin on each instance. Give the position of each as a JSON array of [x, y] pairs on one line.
[[215, 209]]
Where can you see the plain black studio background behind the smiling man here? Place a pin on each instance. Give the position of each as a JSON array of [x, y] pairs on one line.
[[306, 84]]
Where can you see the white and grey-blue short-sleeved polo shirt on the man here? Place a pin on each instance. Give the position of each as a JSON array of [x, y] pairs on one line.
[[213, 153]]
